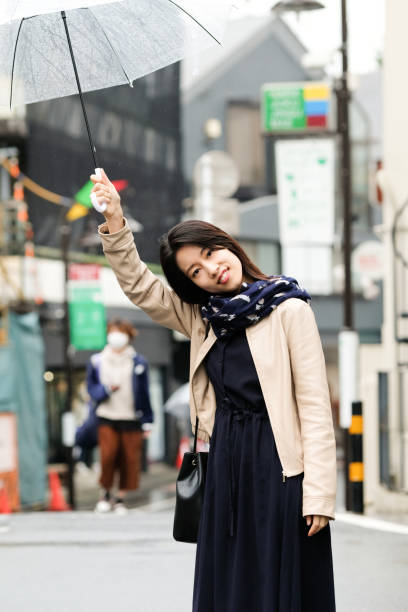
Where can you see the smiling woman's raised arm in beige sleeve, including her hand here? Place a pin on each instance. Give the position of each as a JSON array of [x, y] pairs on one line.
[[140, 285]]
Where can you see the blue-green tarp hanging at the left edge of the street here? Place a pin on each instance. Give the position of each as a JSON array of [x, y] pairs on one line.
[[22, 391]]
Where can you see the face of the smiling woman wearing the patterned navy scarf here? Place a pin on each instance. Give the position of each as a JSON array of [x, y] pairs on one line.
[[215, 271]]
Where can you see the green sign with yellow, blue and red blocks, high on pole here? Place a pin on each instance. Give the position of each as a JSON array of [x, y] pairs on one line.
[[296, 107]]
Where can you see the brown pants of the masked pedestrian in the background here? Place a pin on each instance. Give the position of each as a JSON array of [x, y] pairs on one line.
[[120, 450]]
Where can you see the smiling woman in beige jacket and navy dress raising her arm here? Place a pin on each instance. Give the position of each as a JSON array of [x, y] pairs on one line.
[[258, 385]]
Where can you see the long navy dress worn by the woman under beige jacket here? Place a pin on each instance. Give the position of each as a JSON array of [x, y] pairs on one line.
[[253, 552]]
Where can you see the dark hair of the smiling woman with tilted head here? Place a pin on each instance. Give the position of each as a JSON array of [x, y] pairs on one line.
[[205, 235]]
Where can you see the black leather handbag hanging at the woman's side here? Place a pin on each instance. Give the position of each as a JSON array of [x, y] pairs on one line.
[[190, 494]]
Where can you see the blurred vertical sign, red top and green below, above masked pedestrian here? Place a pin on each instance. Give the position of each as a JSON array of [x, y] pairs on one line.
[[87, 318]]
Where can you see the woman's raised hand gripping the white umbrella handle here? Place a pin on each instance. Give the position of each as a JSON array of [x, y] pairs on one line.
[[106, 200]]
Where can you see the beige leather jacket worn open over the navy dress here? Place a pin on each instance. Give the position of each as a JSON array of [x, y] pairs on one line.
[[288, 357]]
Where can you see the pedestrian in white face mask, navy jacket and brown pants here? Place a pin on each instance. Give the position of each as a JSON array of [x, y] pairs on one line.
[[117, 382]]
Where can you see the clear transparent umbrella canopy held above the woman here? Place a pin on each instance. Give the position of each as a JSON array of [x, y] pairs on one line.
[[113, 42]]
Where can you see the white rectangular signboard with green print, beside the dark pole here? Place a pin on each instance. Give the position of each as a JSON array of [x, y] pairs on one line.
[[306, 190]]
